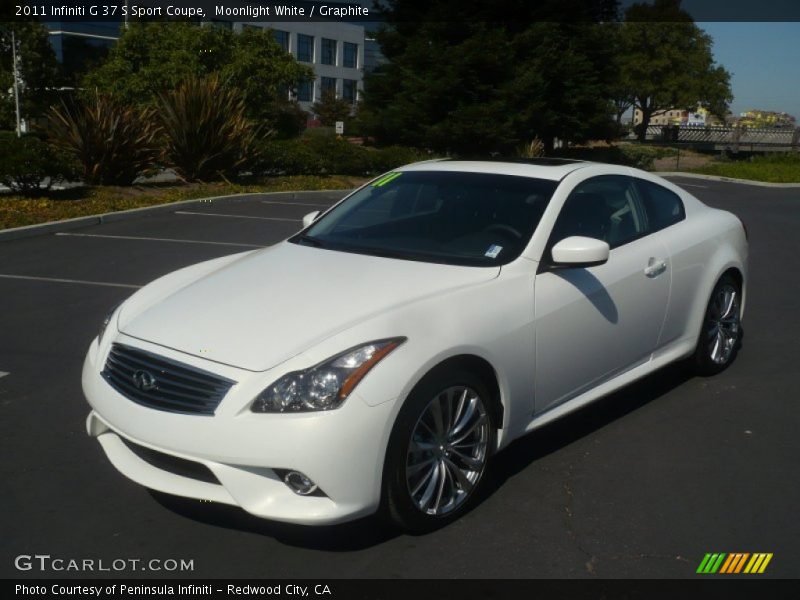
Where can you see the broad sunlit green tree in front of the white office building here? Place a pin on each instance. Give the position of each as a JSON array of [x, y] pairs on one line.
[[151, 58]]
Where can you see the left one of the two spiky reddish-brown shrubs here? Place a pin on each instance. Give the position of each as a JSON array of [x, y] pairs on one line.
[[113, 144]]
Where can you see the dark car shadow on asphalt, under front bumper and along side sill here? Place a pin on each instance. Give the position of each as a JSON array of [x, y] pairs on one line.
[[373, 530]]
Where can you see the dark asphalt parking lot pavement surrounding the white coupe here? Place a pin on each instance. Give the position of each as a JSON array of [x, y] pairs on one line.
[[640, 484]]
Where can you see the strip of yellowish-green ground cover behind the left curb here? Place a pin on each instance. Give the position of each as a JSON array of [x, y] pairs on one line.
[[16, 211]]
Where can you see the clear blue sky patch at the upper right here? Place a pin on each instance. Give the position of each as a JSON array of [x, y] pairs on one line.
[[764, 62]]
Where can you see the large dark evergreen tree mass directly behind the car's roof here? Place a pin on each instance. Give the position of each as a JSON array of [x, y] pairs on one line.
[[460, 81]]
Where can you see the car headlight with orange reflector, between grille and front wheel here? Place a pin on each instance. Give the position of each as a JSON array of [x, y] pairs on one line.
[[326, 385]]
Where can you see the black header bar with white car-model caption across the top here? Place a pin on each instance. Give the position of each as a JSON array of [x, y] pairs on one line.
[[368, 11]]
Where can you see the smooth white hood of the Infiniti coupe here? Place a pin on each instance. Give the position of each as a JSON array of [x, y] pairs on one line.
[[268, 306]]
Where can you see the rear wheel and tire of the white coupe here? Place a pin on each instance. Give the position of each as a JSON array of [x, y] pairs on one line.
[[721, 332]]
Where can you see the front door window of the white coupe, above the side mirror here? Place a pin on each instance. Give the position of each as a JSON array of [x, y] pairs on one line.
[[605, 208]]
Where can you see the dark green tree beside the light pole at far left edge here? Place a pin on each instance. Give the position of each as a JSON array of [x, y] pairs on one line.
[[38, 70]]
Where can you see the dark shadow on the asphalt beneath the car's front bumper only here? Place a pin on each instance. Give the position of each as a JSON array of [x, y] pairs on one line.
[[346, 537]]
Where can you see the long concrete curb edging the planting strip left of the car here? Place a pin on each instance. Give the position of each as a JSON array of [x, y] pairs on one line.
[[26, 231]]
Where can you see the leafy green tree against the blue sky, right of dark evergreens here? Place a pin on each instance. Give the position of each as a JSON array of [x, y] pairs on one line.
[[665, 61]]
